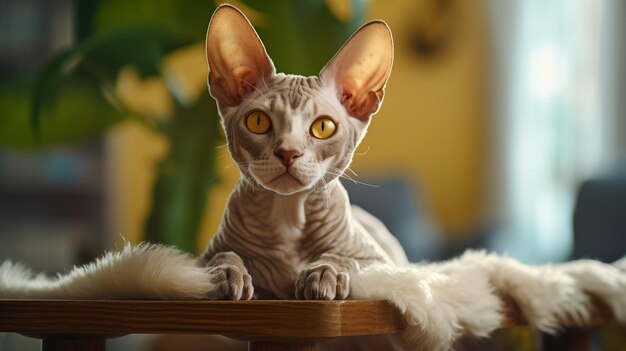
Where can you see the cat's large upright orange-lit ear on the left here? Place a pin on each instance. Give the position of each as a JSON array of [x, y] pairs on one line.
[[236, 56]]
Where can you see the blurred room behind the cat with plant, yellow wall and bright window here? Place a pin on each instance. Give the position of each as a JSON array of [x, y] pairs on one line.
[[503, 125]]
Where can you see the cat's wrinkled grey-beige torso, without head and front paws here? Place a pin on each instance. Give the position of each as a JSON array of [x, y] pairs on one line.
[[279, 236]]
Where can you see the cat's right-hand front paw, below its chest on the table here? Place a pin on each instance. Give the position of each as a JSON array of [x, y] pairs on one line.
[[322, 282]]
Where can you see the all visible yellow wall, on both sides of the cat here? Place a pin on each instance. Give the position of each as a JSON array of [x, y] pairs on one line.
[[431, 129]]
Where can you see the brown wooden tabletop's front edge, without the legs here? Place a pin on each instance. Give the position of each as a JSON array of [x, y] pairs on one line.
[[251, 319]]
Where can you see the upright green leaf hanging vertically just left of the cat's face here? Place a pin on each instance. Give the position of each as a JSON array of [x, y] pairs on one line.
[[185, 176]]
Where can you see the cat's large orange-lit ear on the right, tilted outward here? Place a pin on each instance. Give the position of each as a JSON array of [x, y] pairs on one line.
[[361, 68]]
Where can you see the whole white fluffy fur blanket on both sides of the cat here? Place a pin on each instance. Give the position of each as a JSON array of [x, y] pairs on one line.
[[440, 301]]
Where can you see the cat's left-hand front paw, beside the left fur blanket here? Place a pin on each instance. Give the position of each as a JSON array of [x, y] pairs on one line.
[[231, 283]]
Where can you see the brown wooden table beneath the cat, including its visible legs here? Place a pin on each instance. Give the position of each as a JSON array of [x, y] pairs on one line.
[[267, 325]]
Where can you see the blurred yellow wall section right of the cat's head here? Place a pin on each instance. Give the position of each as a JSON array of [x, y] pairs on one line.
[[432, 123]]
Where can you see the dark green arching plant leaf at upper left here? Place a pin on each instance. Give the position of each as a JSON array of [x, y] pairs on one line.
[[96, 62]]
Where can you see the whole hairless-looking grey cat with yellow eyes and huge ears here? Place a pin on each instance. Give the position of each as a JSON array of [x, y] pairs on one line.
[[288, 223]]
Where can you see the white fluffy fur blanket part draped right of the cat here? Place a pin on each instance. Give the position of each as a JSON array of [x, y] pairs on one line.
[[442, 301]]
